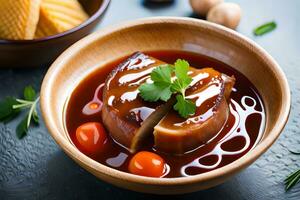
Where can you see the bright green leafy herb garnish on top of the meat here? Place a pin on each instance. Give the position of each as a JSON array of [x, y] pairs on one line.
[[163, 87]]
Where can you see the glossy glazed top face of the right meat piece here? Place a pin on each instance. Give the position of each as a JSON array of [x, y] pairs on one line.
[[205, 90]]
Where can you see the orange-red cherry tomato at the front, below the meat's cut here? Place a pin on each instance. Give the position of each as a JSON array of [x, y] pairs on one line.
[[145, 163]]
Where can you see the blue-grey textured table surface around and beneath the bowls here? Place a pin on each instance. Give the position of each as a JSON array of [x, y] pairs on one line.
[[36, 168]]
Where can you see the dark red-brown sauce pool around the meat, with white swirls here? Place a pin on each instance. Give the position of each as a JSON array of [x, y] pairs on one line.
[[241, 132]]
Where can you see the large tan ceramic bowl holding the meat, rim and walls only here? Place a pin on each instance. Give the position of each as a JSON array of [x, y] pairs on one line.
[[170, 33]]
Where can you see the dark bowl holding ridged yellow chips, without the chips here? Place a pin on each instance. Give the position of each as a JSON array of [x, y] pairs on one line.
[[42, 51]]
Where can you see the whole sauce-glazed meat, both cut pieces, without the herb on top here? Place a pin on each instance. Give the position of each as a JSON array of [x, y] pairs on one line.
[[130, 119]]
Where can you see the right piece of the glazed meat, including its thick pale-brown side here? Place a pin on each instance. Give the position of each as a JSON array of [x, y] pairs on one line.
[[209, 90]]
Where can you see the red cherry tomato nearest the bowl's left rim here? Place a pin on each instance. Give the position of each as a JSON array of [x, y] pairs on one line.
[[91, 136]]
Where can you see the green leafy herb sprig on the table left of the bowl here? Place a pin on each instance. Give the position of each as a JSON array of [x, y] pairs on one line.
[[11, 107]]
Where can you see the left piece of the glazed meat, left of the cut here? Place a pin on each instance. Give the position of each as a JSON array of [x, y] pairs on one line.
[[125, 114]]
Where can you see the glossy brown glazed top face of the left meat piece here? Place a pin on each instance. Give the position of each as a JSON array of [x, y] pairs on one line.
[[122, 94]]
